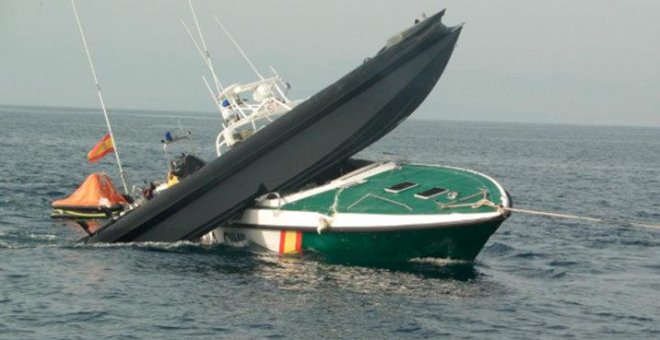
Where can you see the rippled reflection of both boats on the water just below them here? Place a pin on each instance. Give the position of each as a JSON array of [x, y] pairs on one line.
[[227, 267]]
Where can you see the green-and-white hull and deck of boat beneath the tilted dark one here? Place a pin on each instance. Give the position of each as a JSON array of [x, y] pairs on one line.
[[378, 213]]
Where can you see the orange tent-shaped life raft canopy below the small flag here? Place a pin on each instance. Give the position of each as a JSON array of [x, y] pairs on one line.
[[96, 193]]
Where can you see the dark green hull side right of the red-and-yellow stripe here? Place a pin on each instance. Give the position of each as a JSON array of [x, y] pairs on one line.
[[462, 243]]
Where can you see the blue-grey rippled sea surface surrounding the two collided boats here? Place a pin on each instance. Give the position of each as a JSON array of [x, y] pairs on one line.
[[536, 277]]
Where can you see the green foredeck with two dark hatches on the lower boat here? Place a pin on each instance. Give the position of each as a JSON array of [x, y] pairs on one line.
[[464, 189]]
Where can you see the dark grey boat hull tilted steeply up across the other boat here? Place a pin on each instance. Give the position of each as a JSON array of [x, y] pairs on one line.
[[318, 134]]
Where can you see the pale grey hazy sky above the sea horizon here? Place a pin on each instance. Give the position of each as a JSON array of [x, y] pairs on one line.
[[562, 61]]
